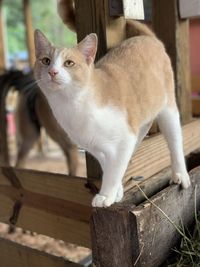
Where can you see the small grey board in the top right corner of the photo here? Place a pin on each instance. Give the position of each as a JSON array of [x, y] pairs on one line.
[[189, 9]]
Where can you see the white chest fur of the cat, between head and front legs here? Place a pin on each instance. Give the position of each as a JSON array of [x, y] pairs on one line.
[[87, 124]]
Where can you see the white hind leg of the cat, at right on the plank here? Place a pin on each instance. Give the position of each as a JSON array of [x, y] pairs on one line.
[[169, 124]]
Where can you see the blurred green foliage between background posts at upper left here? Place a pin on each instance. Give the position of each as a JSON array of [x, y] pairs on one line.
[[44, 17]]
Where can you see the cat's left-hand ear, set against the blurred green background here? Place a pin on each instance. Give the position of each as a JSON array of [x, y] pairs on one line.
[[41, 42]]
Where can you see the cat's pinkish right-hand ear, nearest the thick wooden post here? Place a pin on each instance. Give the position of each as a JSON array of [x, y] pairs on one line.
[[88, 47]]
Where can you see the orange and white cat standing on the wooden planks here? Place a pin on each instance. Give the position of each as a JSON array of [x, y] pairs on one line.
[[108, 107]]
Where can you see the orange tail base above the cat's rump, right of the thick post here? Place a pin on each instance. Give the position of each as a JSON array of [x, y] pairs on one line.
[[136, 28]]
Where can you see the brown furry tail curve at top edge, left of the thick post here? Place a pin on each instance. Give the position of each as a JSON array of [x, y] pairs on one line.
[[66, 11]]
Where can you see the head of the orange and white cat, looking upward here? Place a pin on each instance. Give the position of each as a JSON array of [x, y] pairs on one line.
[[64, 68]]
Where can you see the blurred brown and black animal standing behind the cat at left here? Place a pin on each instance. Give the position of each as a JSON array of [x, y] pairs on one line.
[[33, 113]]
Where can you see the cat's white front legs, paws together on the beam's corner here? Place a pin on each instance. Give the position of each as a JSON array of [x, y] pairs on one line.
[[116, 161]]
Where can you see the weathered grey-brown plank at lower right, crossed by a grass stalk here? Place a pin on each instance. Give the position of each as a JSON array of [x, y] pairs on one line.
[[154, 228]]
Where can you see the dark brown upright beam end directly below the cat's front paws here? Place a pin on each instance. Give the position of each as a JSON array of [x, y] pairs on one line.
[[112, 237]]
